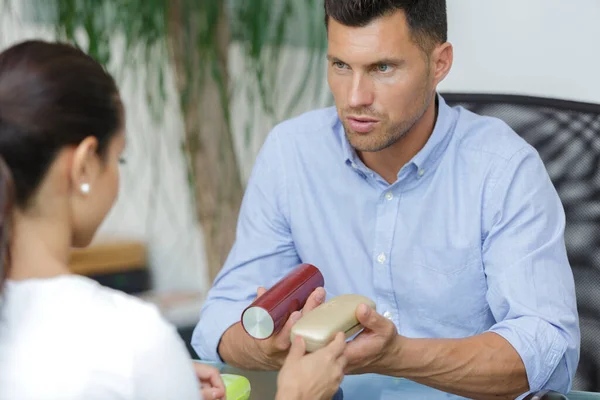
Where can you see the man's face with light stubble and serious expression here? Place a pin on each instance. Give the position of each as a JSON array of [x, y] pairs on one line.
[[380, 79]]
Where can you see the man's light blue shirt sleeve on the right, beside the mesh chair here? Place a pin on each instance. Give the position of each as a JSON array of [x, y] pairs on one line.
[[531, 289]]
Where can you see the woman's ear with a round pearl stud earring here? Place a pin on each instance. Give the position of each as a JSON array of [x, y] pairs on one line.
[[85, 166]]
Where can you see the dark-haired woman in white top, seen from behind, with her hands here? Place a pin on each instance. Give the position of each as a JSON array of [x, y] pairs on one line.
[[64, 336]]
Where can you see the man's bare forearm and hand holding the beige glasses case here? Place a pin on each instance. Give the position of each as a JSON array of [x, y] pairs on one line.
[[485, 366]]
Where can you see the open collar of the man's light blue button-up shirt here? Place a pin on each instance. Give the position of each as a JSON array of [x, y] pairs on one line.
[[428, 154]]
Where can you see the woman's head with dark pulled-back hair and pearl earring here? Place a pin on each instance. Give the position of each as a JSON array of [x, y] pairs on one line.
[[61, 134]]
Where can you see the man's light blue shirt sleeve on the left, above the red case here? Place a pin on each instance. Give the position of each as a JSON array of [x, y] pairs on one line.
[[262, 253]]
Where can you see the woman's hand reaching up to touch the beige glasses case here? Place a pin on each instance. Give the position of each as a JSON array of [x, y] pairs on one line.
[[315, 376]]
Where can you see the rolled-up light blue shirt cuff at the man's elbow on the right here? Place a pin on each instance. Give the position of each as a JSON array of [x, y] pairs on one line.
[[539, 344]]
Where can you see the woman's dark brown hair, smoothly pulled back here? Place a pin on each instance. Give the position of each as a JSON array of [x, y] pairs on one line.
[[52, 95]]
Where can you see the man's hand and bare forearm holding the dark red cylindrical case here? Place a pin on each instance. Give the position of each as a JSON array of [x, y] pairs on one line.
[[238, 349]]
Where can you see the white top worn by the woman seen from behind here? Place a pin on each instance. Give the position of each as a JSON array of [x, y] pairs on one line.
[[68, 338]]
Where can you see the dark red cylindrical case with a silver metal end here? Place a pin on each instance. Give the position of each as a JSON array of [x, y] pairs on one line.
[[269, 313]]
